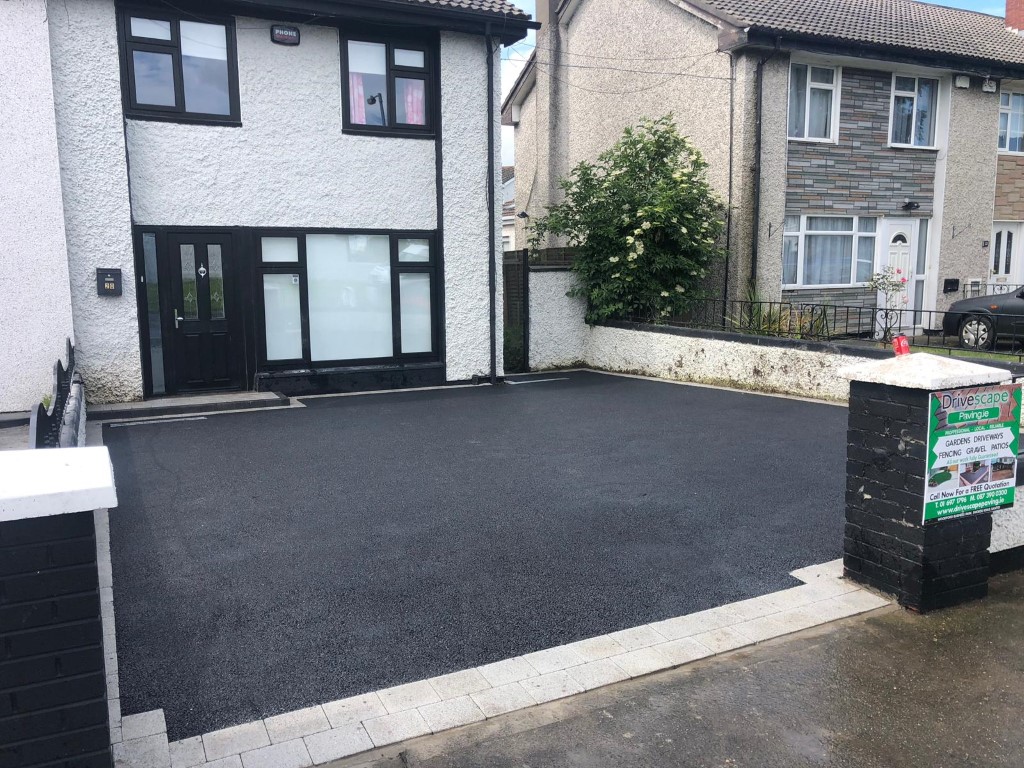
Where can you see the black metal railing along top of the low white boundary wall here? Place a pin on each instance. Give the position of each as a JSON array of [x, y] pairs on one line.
[[961, 334]]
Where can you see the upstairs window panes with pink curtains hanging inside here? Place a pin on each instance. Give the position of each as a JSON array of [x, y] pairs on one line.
[[390, 87]]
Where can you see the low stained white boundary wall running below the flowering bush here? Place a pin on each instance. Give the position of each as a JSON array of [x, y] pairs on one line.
[[560, 338]]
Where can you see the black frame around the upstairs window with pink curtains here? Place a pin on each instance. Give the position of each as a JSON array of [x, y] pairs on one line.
[[430, 74]]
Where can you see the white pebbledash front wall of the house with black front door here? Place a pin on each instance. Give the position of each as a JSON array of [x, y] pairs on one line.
[[289, 165]]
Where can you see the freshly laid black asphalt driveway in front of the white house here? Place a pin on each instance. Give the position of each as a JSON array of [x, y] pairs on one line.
[[272, 561]]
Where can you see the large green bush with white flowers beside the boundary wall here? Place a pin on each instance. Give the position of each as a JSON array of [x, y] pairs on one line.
[[645, 222]]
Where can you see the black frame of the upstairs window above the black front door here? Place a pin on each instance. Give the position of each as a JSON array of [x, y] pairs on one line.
[[127, 45]]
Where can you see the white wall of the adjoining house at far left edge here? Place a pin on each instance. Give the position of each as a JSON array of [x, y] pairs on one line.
[[35, 314]]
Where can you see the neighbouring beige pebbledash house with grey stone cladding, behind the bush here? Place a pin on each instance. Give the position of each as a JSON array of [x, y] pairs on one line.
[[844, 136]]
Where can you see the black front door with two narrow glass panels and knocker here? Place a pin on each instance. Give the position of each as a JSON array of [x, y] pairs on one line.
[[205, 324]]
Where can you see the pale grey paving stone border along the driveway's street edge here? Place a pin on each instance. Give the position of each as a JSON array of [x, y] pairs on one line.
[[338, 730]]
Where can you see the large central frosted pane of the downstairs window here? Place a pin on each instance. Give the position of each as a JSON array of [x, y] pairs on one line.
[[350, 285]]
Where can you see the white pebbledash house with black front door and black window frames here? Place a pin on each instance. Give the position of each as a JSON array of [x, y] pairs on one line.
[[285, 195]]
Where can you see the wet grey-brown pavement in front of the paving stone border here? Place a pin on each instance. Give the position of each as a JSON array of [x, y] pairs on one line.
[[890, 689]]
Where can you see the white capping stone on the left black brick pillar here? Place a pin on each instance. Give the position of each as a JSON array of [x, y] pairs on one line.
[[56, 482]]
